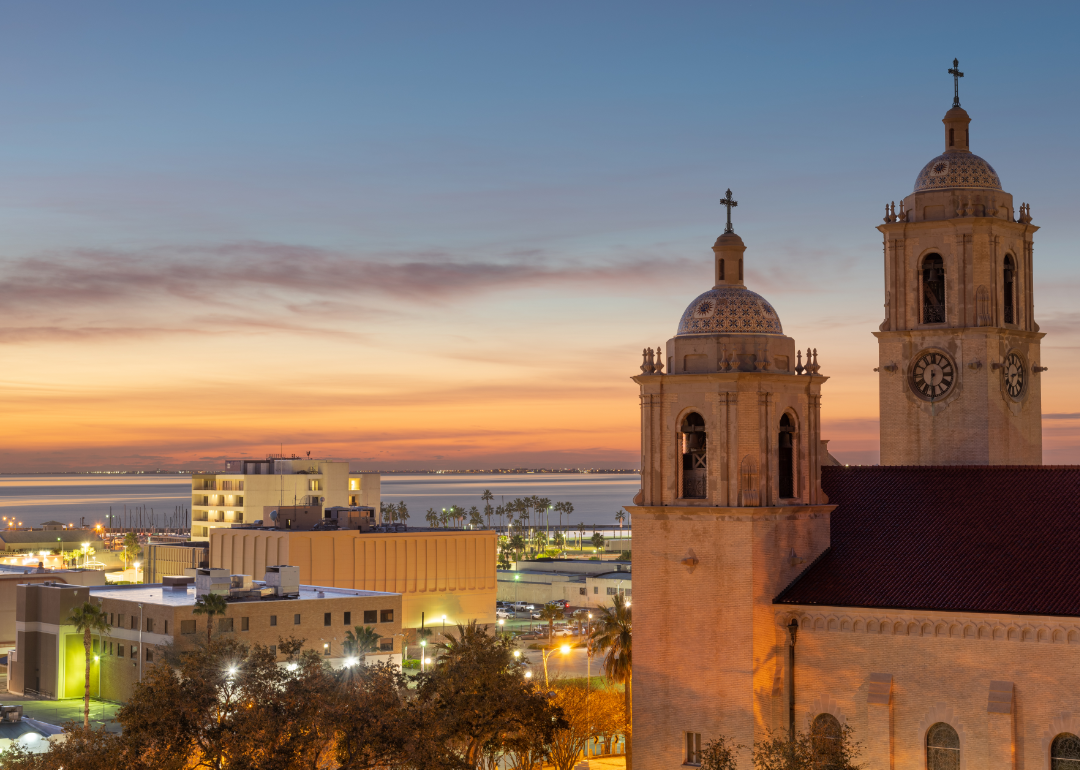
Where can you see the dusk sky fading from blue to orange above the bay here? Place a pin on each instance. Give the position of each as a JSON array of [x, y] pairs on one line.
[[439, 235]]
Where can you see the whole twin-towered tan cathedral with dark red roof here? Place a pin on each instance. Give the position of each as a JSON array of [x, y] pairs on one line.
[[930, 604]]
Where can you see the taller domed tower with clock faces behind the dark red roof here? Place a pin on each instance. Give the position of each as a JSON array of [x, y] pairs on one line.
[[960, 358]]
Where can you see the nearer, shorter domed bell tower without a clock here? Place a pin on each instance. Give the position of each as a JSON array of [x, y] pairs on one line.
[[731, 511]]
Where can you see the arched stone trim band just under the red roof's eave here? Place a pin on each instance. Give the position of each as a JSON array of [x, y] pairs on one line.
[[950, 627]]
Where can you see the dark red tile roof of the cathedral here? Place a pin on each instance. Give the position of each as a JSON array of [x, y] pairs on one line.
[[980, 539]]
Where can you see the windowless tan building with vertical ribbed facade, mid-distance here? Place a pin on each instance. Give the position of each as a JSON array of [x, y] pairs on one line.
[[437, 572]]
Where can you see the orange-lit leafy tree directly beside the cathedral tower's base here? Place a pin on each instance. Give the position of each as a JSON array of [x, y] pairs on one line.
[[589, 713]]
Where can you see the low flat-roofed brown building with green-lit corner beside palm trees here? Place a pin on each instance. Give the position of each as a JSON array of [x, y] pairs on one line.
[[49, 658]]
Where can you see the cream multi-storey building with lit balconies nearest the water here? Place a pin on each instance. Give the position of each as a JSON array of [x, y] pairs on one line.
[[252, 491]]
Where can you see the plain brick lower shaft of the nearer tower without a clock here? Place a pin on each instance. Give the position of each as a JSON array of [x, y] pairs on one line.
[[705, 658]]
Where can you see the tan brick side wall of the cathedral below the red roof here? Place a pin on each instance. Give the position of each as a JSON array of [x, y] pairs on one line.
[[942, 666]]
